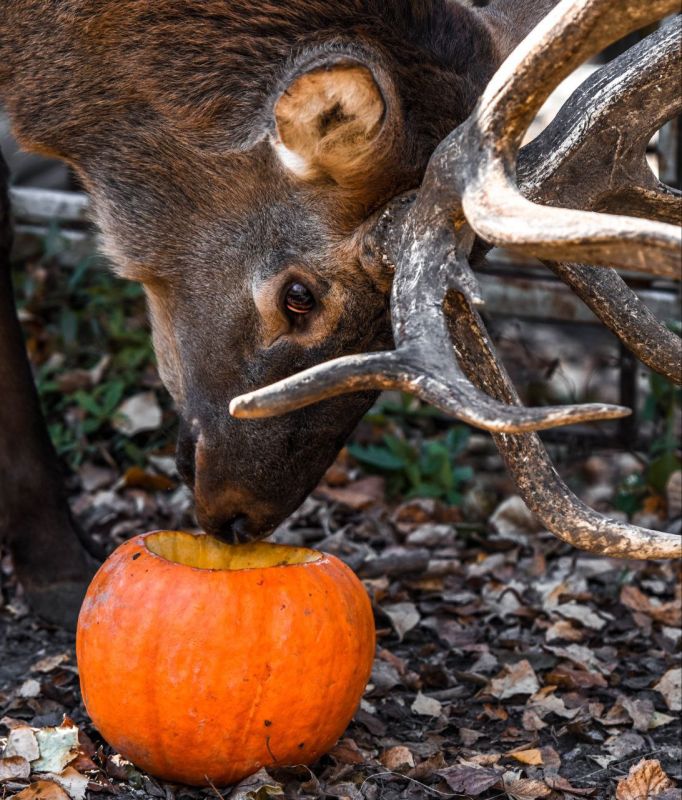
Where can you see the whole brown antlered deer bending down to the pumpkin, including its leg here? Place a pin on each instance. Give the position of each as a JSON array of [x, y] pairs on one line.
[[175, 147]]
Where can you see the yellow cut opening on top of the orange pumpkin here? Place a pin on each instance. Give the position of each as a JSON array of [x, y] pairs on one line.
[[206, 552]]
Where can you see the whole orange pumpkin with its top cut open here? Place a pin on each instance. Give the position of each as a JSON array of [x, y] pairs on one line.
[[201, 661]]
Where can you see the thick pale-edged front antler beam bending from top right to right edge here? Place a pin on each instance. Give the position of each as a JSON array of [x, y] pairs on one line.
[[492, 202]]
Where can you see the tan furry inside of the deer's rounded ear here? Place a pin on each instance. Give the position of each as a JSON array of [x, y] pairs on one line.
[[328, 122]]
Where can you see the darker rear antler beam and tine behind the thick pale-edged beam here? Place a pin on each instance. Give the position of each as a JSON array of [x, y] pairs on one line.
[[640, 86]]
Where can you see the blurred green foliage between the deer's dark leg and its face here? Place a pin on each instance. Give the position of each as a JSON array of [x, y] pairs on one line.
[[74, 316]]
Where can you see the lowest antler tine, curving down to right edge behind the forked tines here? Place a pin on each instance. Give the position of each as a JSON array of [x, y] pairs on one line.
[[538, 482]]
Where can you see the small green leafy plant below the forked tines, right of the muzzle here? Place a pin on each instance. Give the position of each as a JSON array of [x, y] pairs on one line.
[[424, 469]]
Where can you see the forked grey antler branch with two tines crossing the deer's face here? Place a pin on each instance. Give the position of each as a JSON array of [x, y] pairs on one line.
[[423, 363]]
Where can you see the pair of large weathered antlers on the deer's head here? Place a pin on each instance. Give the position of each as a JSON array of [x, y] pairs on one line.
[[471, 181]]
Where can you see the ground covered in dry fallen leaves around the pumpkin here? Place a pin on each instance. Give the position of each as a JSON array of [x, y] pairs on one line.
[[508, 665]]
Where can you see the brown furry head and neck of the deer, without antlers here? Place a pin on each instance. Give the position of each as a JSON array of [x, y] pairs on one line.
[[171, 112]]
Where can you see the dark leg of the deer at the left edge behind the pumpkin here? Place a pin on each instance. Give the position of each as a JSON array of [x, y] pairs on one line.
[[35, 521]]
